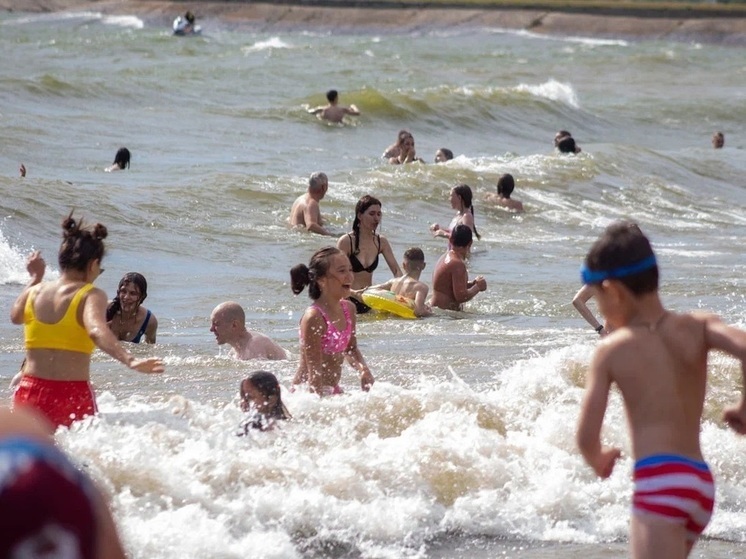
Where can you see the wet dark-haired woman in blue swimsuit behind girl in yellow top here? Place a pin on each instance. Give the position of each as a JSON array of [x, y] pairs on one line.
[[126, 316]]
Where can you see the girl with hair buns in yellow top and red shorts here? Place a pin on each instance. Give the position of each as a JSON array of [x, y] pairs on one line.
[[64, 320]]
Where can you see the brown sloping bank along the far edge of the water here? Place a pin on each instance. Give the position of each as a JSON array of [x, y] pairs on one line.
[[699, 27]]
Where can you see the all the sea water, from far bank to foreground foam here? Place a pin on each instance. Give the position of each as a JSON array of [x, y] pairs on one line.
[[464, 448]]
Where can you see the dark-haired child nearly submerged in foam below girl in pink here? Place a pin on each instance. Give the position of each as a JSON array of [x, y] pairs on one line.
[[261, 395]]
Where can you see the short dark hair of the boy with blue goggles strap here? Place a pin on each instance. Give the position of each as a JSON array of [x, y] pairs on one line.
[[623, 244]]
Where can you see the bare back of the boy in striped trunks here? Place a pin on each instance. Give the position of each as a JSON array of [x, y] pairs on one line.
[[661, 371]]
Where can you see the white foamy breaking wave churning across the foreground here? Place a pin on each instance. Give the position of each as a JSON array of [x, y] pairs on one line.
[[397, 472]]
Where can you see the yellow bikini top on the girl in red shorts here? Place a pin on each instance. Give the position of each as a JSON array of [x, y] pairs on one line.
[[66, 334]]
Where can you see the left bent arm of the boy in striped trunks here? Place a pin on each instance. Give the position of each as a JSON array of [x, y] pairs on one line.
[[592, 411]]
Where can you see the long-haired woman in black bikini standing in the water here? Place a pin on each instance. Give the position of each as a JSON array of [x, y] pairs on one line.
[[363, 246]]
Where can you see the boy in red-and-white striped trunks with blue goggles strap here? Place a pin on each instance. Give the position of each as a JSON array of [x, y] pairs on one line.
[[658, 359]]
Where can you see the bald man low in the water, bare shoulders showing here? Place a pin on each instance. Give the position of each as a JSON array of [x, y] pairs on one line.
[[228, 323]]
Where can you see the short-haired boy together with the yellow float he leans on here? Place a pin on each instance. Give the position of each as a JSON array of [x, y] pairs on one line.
[[407, 286]]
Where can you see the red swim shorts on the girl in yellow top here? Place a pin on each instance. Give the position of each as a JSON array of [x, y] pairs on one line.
[[62, 401]]
